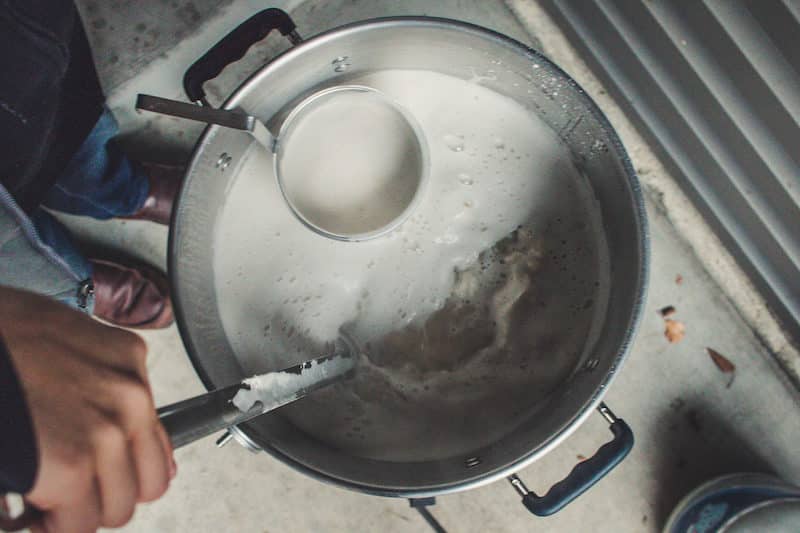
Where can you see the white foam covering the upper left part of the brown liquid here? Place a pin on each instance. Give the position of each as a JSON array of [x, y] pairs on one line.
[[300, 274]]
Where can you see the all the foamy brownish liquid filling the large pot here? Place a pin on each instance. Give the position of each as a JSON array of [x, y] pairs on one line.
[[469, 313]]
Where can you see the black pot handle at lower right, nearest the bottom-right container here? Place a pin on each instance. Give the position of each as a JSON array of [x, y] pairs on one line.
[[585, 474]]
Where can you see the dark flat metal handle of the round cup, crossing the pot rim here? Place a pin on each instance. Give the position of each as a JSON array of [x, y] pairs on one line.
[[202, 113]]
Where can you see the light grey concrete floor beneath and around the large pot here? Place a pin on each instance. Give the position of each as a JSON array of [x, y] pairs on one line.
[[689, 424]]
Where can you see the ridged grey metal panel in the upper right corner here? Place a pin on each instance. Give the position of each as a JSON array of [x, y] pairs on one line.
[[714, 86]]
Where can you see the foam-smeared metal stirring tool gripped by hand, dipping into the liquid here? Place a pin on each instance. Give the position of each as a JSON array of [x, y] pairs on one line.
[[198, 417]]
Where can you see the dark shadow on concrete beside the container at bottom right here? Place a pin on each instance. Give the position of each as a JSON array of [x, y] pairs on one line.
[[695, 446]]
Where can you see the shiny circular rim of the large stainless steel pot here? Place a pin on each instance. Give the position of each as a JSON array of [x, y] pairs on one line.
[[638, 280]]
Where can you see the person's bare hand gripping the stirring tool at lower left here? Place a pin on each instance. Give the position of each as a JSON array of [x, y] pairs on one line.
[[101, 446]]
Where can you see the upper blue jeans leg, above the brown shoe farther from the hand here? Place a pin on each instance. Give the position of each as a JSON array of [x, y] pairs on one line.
[[99, 181]]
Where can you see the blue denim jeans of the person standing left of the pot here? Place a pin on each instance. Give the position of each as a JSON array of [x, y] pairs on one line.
[[99, 182]]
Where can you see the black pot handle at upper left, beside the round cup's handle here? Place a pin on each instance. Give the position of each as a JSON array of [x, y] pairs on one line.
[[233, 47]]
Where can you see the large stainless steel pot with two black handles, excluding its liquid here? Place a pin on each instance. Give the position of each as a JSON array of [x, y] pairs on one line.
[[456, 49]]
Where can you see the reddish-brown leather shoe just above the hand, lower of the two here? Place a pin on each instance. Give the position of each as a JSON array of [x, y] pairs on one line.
[[131, 297]]
